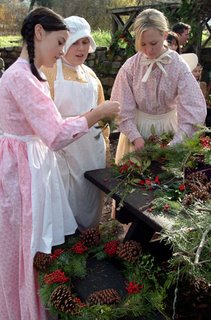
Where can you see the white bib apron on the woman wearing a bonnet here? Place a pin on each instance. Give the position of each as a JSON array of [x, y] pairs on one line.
[[74, 98]]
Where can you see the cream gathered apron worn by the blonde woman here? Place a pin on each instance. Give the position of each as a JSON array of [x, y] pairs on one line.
[[162, 123]]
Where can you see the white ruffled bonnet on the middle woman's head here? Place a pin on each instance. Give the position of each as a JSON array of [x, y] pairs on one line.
[[79, 28]]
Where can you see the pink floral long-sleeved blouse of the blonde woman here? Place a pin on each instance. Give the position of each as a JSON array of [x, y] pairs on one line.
[[159, 95]]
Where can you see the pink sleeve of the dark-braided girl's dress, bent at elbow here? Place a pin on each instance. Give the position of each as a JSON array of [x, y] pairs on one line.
[[41, 113]]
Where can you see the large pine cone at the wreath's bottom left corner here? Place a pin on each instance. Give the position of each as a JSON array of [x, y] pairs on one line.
[[63, 301]]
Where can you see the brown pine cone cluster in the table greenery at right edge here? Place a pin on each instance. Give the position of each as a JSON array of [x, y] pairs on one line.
[[199, 186]]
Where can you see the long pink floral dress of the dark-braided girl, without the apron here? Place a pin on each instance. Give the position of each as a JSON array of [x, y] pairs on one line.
[[26, 109]]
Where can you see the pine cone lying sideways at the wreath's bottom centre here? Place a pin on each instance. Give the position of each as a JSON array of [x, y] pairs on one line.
[[107, 296]]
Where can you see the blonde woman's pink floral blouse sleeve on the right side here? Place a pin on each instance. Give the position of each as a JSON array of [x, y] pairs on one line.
[[191, 109]]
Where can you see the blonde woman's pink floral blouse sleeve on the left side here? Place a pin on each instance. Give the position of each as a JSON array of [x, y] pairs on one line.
[[122, 91]]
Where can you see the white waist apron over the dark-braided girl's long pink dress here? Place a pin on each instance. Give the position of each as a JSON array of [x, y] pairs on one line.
[[52, 217]]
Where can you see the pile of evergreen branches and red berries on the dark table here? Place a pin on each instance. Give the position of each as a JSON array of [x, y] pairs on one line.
[[179, 177]]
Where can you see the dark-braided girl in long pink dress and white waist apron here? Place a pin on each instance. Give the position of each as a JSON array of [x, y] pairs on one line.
[[34, 211]]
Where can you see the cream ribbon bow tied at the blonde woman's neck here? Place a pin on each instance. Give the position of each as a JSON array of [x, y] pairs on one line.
[[162, 59]]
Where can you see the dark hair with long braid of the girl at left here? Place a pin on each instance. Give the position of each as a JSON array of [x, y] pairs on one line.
[[49, 20]]
